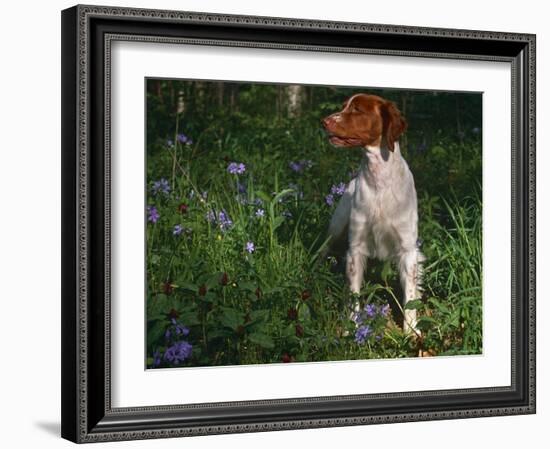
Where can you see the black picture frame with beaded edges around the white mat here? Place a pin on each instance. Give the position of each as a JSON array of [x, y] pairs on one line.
[[87, 34]]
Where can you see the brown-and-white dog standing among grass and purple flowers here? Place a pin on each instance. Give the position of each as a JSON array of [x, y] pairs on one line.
[[378, 211]]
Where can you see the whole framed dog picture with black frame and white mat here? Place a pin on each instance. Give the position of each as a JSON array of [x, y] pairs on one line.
[[283, 223]]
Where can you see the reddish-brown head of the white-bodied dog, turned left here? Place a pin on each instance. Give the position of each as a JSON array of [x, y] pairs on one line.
[[365, 120]]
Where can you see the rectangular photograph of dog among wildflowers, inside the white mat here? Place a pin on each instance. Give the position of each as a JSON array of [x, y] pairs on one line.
[[291, 223]]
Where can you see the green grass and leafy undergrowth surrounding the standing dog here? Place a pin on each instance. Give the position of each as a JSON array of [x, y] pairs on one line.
[[279, 303]]
